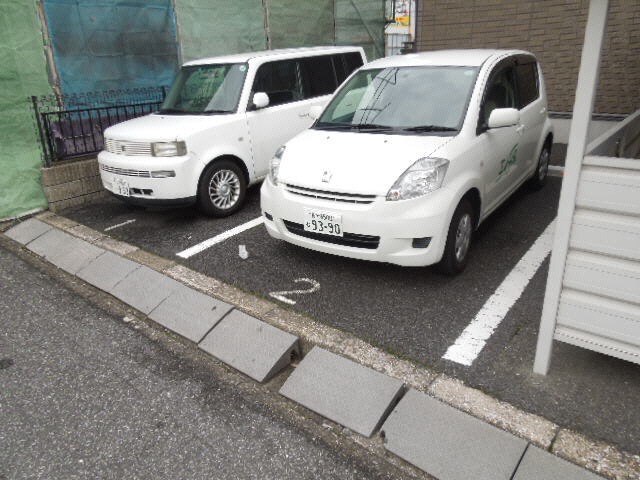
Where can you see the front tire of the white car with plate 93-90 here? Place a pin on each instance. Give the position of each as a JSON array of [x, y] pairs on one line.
[[456, 250]]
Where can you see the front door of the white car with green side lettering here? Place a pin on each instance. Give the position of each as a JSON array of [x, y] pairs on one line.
[[499, 145]]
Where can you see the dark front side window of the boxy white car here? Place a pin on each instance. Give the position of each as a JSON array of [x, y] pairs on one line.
[[280, 81]]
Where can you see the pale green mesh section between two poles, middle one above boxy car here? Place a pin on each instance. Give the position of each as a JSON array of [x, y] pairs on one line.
[[296, 23]]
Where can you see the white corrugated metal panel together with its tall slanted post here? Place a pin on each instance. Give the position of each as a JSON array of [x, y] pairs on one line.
[[592, 297]]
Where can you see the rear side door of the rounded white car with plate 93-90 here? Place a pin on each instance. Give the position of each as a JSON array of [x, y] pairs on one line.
[[533, 112]]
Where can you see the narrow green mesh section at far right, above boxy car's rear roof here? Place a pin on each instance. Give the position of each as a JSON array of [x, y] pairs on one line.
[[361, 22]]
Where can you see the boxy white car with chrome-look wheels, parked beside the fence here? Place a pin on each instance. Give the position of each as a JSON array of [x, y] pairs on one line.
[[219, 126]]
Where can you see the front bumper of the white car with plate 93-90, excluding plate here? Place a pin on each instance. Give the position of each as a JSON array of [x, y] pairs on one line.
[[388, 229]]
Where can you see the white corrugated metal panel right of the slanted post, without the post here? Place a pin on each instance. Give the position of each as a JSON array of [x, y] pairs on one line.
[[599, 305]]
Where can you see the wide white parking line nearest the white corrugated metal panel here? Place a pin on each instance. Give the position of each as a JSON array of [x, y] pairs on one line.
[[473, 339]]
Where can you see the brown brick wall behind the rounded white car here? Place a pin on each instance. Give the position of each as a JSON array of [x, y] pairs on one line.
[[551, 29]]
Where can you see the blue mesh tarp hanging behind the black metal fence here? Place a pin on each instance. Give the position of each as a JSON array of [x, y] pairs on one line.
[[101, 45]]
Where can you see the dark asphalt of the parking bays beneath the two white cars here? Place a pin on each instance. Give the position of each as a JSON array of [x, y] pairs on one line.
[[414, 313]]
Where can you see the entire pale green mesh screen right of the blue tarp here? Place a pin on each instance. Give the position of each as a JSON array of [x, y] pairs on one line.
[[217, 27]]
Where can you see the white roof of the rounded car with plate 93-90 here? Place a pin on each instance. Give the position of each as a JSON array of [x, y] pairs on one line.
[[462, 58]]
